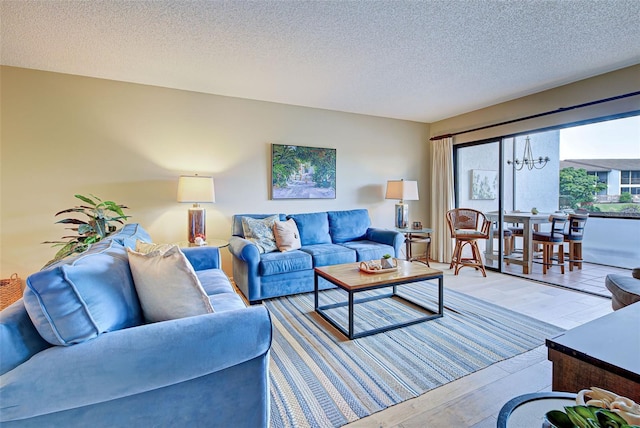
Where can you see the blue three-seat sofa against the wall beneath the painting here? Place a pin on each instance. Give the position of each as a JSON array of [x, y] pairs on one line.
[[327, 238]]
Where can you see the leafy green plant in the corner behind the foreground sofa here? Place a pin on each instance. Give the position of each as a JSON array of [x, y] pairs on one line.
[[99, 224]]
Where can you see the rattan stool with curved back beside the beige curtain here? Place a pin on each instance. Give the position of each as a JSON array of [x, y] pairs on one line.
[[467, 226]]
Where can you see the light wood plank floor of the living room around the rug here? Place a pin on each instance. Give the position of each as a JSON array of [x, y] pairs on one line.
[[476, 400]]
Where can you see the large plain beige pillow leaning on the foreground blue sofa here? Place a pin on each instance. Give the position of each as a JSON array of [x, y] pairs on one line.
[[167, 285]]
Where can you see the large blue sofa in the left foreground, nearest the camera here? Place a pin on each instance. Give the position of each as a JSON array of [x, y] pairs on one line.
[[76, 351]]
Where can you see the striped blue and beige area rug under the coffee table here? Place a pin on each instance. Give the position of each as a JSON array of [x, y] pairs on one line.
[[321, 379]]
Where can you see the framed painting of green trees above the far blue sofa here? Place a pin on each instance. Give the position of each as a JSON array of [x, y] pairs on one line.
[[299, 172]]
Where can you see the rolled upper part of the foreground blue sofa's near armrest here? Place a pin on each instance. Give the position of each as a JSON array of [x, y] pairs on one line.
[[134, 360]]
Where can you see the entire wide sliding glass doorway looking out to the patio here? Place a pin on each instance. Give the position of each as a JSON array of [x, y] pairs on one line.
[[517, 181]]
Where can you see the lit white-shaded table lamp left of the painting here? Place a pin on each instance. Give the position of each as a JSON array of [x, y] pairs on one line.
[[197, 190]]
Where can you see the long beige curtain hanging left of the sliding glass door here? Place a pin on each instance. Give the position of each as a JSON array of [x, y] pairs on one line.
[[442, 198]]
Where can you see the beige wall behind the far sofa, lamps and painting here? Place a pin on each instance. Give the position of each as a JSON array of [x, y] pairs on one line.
[[64, 134]]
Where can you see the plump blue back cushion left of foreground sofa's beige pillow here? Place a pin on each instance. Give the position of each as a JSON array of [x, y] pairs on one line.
[[79, 298]]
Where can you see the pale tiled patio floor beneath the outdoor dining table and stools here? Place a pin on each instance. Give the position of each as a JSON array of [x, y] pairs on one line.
[[589, 279]]
